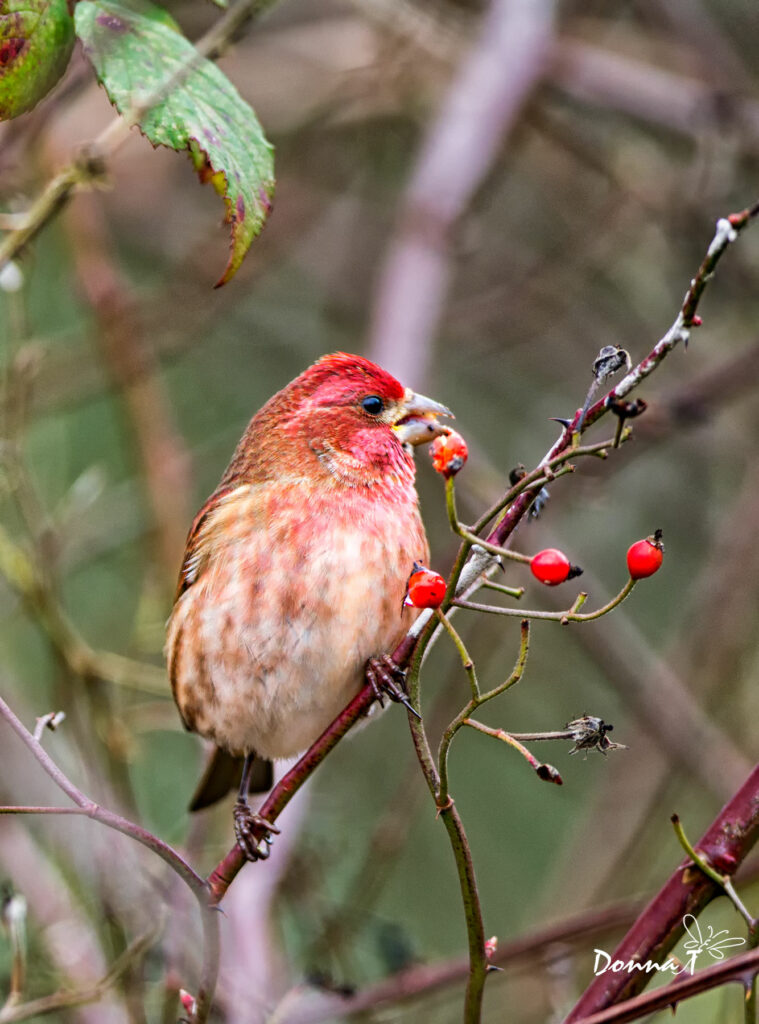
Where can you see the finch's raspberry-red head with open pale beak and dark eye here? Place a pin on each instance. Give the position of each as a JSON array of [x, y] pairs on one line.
[[346, 415]]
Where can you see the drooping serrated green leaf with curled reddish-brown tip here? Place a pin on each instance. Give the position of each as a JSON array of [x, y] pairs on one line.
[[141, 58]]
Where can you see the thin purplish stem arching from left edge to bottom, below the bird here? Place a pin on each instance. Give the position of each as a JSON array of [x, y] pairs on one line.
[[88, 807]]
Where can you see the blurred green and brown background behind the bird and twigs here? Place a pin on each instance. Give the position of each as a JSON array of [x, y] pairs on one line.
[[129, 380]]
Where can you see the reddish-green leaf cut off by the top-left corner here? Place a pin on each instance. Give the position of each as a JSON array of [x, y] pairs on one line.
[[36, 40]]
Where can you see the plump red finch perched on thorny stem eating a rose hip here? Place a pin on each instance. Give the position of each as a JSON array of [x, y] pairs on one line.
[[297, 567]]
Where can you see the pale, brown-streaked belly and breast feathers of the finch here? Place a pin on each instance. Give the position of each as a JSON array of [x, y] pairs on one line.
[[281, 636]]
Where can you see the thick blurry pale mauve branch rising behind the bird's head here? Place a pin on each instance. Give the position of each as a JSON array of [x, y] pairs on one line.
[[505, 64]]
